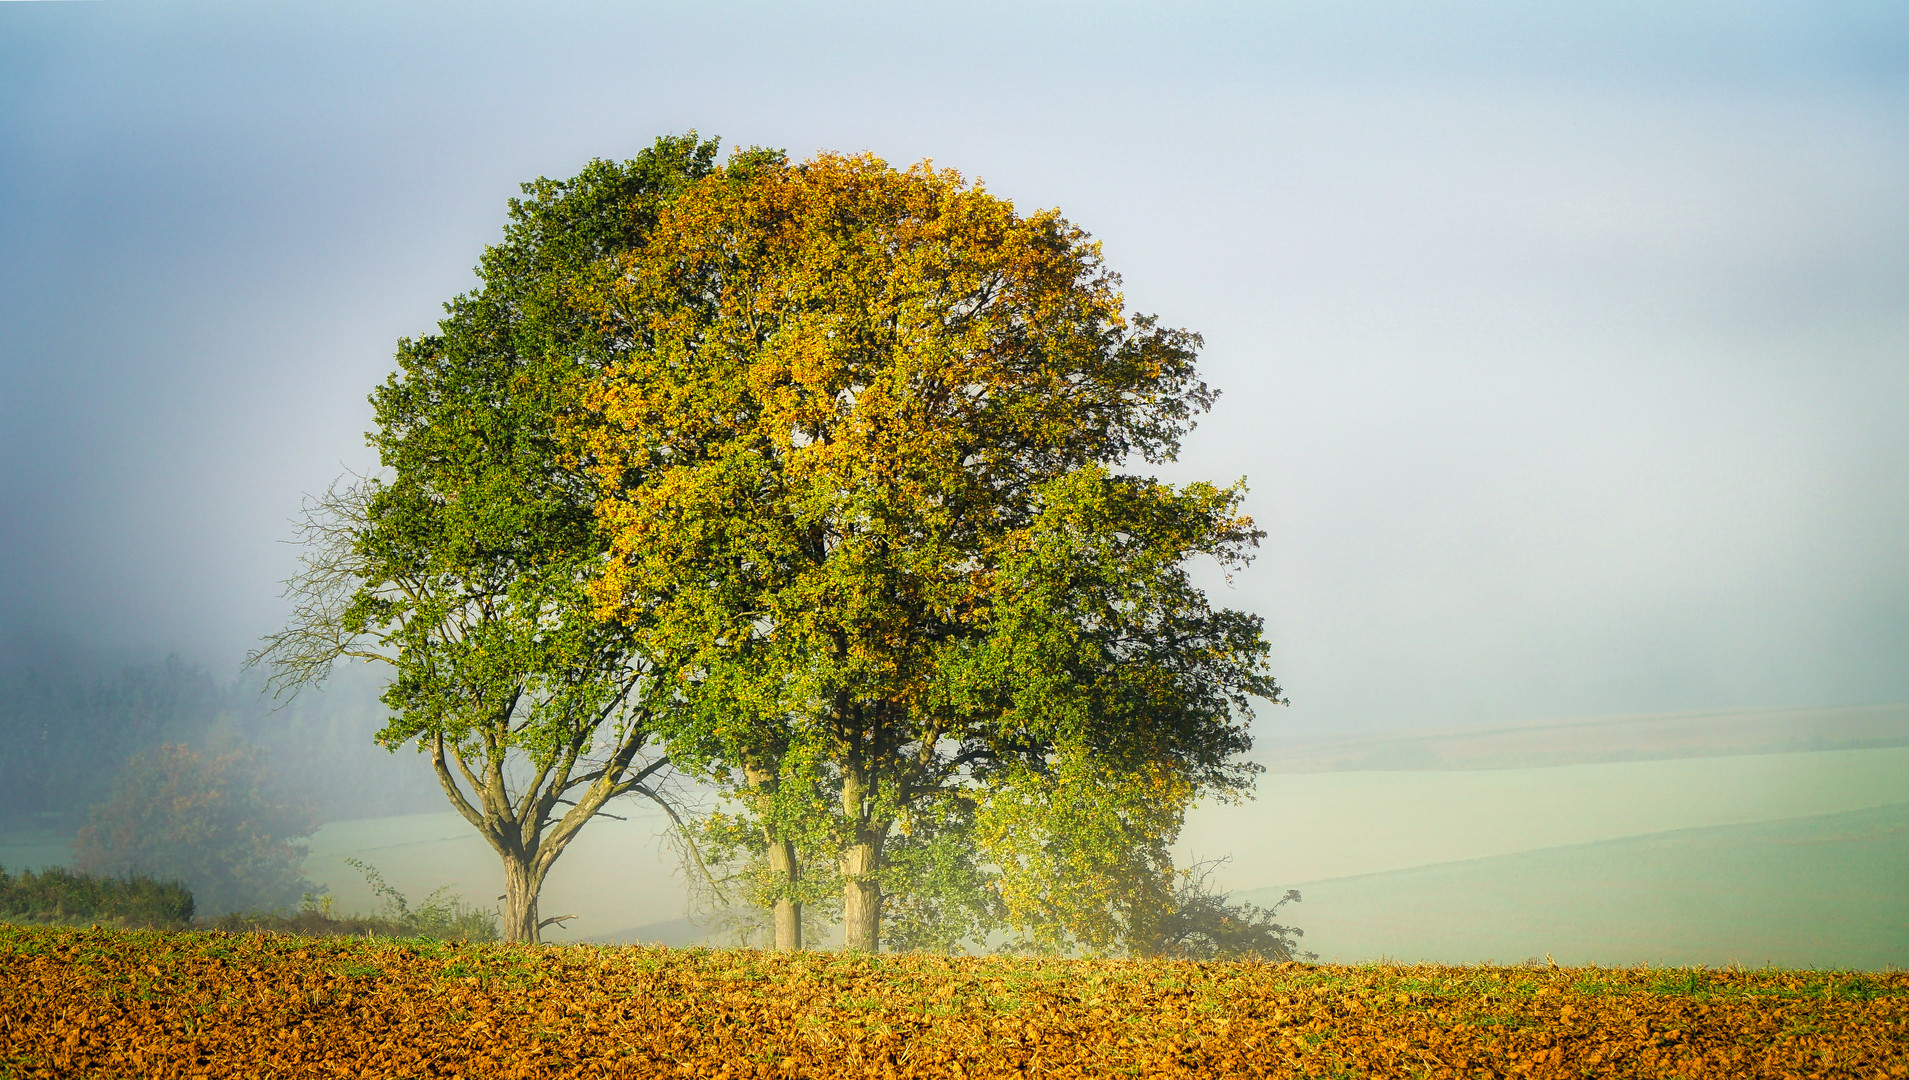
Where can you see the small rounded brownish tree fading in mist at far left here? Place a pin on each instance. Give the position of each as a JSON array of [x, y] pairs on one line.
[[224, 825]]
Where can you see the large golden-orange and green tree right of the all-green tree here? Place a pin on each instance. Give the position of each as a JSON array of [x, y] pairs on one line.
[[856, 459]]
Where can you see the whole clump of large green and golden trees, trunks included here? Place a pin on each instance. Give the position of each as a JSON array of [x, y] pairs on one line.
[[826, 478]]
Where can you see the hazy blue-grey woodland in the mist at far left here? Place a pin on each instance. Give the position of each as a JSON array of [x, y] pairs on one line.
[[165, 776]]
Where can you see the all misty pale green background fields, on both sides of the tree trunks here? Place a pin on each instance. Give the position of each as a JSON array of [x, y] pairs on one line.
[[1618, 862]]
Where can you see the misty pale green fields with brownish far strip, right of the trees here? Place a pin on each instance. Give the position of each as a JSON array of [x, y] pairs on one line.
[[1715, 852]]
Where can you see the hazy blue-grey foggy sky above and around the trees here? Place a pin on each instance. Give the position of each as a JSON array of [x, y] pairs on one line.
[[1564, 350]]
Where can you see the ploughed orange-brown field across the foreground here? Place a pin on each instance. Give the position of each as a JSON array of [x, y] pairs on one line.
[[79, 1003]]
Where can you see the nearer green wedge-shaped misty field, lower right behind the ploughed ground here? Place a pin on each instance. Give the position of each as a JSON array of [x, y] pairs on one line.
[[1818, 892]]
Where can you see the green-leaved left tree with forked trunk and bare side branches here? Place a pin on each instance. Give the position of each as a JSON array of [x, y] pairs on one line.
[[465, 566]]
